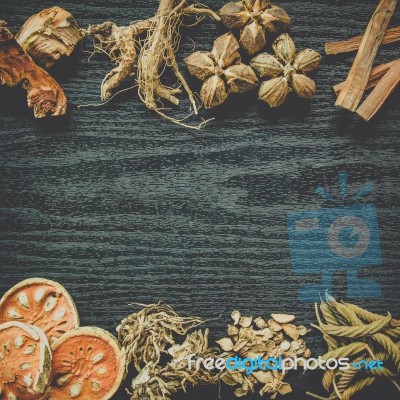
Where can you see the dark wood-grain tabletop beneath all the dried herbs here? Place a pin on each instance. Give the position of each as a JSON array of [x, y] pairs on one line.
[[121, 206]]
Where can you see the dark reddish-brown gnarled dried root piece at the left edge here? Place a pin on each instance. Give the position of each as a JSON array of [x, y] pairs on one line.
[[45, 95]]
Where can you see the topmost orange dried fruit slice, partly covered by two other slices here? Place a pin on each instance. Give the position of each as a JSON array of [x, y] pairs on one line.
[[42, 303]]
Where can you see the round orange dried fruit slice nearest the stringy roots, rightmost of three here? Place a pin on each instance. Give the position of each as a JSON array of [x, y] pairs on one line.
[[87, 364]]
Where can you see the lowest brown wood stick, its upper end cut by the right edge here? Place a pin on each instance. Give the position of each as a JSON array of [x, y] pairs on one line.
[[382, 91]]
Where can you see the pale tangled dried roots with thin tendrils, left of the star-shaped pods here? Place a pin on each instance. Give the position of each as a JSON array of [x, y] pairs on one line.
[[156, 54]]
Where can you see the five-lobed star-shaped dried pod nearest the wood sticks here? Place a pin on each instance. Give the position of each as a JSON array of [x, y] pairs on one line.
[[287, 71]]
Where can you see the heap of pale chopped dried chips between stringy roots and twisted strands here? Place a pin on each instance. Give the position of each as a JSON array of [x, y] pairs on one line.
[[252, 338]]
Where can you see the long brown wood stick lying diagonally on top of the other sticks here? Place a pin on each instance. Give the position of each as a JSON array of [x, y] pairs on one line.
[[357, 80]]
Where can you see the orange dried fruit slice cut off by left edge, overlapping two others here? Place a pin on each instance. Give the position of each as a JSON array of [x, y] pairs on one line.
[[25, 361]]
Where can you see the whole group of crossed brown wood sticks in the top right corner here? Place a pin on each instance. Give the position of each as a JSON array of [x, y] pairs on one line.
[[362, 76]]
